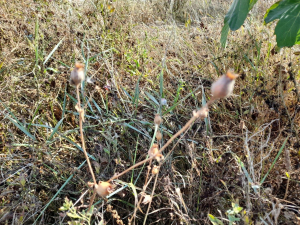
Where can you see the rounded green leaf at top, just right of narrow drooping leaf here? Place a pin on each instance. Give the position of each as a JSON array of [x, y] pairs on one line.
[[237, 14]]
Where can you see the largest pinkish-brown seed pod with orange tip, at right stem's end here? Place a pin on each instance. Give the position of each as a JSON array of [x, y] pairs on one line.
[[223, 87]]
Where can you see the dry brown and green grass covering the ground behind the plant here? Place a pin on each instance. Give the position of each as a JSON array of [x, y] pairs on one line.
[[129, 44]]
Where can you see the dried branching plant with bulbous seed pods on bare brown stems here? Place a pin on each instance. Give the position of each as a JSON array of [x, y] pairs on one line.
[[221, 88]]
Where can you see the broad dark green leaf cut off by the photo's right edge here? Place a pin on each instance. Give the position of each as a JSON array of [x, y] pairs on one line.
[[287, 29]]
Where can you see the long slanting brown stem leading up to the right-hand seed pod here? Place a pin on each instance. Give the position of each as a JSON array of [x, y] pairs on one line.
[[186, 126]]
